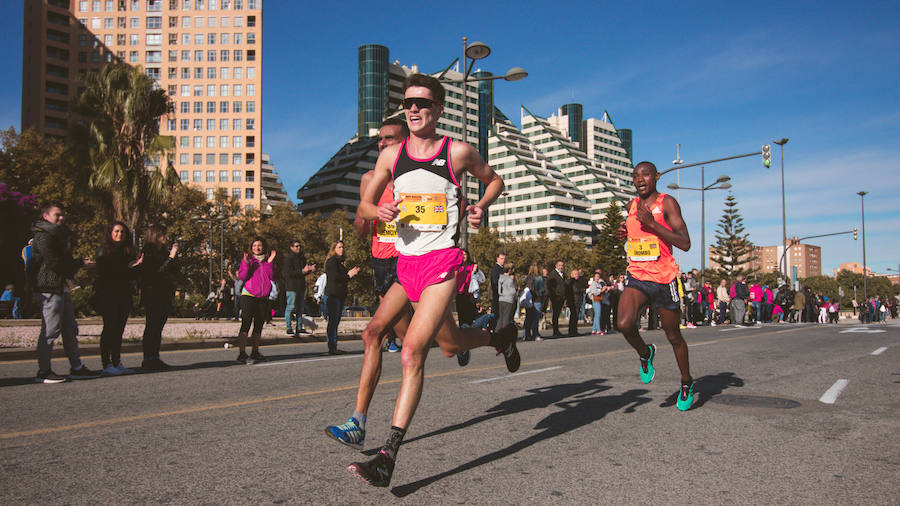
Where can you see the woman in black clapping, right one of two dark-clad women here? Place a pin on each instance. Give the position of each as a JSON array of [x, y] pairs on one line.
[[157, 290]]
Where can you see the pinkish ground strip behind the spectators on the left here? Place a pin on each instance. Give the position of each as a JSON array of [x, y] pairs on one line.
[[18, 338]]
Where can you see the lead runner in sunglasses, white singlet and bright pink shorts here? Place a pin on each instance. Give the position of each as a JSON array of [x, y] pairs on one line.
[[425, 170]]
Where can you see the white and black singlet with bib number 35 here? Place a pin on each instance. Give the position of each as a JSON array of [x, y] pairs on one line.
[[430, 202]]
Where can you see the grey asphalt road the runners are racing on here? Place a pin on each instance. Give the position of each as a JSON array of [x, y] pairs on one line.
[[575, 425]]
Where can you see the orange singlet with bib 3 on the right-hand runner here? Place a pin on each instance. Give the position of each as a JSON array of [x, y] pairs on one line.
[[649, 256]]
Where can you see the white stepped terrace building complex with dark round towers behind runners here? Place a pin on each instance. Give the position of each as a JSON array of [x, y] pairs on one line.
[[560, 172]]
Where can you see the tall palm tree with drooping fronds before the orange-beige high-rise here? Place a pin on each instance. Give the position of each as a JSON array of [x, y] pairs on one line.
[[123, 107]]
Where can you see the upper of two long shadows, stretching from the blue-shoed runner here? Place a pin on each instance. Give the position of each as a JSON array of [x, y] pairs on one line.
[[541, 397]]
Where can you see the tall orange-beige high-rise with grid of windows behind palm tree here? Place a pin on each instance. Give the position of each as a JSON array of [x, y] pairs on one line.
[[206, 54]]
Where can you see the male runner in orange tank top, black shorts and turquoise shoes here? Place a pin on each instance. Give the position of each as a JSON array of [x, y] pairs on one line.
[[654, 224]]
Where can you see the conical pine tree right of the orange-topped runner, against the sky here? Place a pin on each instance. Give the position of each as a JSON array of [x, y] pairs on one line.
[[733, 250]]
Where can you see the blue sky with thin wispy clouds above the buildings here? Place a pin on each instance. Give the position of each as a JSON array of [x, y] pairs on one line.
[[721, 78]]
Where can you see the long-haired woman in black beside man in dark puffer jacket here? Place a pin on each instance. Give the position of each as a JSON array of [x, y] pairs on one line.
[[113, 293]]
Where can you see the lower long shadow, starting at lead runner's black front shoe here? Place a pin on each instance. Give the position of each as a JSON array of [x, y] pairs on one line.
[[575, 414]]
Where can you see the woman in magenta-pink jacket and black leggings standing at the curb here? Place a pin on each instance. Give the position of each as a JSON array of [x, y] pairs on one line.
[[257, 272]]
